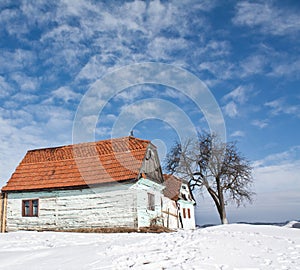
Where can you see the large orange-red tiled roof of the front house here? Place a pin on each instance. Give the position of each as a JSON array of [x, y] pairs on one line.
[[79, 165]]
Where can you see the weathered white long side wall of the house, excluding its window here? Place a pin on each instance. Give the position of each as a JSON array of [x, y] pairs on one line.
[[105, 206]]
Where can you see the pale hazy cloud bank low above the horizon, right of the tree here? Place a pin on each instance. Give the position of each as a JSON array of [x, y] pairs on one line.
[[277, 187]]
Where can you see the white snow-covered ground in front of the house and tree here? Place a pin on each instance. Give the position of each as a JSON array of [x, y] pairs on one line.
[[234, 246]]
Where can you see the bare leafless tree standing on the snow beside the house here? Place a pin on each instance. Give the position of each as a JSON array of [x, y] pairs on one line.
[[216, 166]]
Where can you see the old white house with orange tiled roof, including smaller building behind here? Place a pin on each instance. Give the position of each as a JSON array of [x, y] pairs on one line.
[[110, 183]]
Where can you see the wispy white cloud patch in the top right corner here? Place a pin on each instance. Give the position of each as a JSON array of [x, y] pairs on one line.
[[269, 18]]
